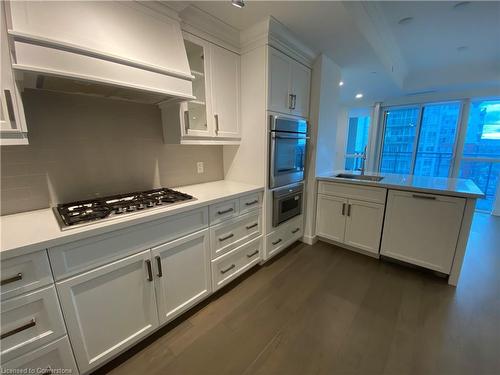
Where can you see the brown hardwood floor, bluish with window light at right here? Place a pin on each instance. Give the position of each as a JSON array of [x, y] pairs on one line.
[[325, 310]]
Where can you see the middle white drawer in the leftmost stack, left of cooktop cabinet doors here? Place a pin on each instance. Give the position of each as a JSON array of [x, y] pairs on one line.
[[30, 321]]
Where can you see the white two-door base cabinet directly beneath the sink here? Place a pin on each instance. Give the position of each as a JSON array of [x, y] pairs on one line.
[[351, 215]]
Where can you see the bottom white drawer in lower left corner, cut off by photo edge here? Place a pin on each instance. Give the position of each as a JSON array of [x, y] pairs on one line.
[[54, 356]]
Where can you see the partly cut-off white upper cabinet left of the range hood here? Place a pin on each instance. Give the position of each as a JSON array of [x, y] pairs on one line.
[[13, 130]]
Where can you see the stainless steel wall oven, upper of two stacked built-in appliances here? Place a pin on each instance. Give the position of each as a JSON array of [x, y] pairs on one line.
[[287, 150]]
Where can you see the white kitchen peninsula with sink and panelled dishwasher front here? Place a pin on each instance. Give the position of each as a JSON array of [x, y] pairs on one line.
[[418, 220]]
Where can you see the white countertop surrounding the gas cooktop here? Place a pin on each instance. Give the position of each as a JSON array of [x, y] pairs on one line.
[[30, 231]]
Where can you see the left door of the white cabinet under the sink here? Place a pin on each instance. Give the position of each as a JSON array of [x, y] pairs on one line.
[[330, 218]]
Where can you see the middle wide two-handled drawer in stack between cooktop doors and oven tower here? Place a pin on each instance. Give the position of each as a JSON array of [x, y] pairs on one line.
[[234, 232]]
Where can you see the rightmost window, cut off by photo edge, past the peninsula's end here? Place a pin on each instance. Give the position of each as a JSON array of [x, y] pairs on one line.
[[481, 153]]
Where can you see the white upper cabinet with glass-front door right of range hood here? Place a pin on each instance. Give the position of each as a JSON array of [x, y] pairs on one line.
[[214, 116]]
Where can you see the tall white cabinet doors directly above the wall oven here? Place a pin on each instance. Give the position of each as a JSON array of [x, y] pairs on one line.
[[288, 85]]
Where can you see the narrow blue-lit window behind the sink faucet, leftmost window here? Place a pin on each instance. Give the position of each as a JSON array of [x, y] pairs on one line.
[[357, 138]]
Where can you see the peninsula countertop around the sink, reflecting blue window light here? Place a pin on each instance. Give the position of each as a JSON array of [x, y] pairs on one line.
[[457, 187]]
